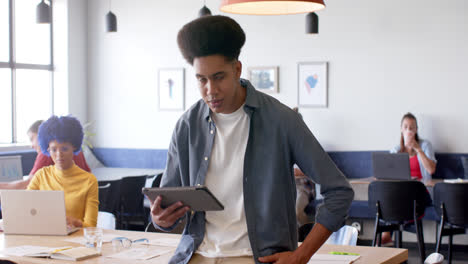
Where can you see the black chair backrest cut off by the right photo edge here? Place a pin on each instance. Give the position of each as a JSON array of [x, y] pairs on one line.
[[455, 199]]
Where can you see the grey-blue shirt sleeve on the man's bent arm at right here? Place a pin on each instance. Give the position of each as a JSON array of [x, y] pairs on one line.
[[318, 166]]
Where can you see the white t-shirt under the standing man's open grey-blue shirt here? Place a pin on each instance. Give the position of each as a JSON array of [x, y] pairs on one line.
[[226, 231]]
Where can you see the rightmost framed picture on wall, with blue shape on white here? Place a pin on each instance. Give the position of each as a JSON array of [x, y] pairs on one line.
[[312, 90]]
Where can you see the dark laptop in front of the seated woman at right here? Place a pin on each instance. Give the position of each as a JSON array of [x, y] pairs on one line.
[[387, 166]]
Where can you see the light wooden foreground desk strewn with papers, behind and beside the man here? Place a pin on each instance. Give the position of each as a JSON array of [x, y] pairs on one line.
[[368, 254]]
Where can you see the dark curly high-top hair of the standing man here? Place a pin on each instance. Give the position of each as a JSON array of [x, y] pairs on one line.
[[211, 35]]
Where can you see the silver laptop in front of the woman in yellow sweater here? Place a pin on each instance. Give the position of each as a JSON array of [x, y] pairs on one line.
[[34, 213]]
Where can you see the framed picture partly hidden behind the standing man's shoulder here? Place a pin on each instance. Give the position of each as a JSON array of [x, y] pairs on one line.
[[264, 79]]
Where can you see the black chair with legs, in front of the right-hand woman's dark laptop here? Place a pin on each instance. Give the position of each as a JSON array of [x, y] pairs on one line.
[[398, 205]]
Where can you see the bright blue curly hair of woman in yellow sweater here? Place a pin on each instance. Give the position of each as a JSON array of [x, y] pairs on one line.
[[62, 129]]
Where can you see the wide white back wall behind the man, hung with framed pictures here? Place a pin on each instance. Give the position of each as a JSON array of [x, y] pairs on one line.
[[385, 58]]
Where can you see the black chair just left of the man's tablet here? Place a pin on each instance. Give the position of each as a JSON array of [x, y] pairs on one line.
[[131, 203]]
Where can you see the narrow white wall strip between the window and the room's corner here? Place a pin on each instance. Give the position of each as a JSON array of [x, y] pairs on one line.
[[70, 58]]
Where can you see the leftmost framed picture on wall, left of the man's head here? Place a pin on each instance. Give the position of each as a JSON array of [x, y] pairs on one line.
[[171, 89]]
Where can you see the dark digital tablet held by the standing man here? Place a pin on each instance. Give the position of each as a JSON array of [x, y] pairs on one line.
[[198, 198]]
